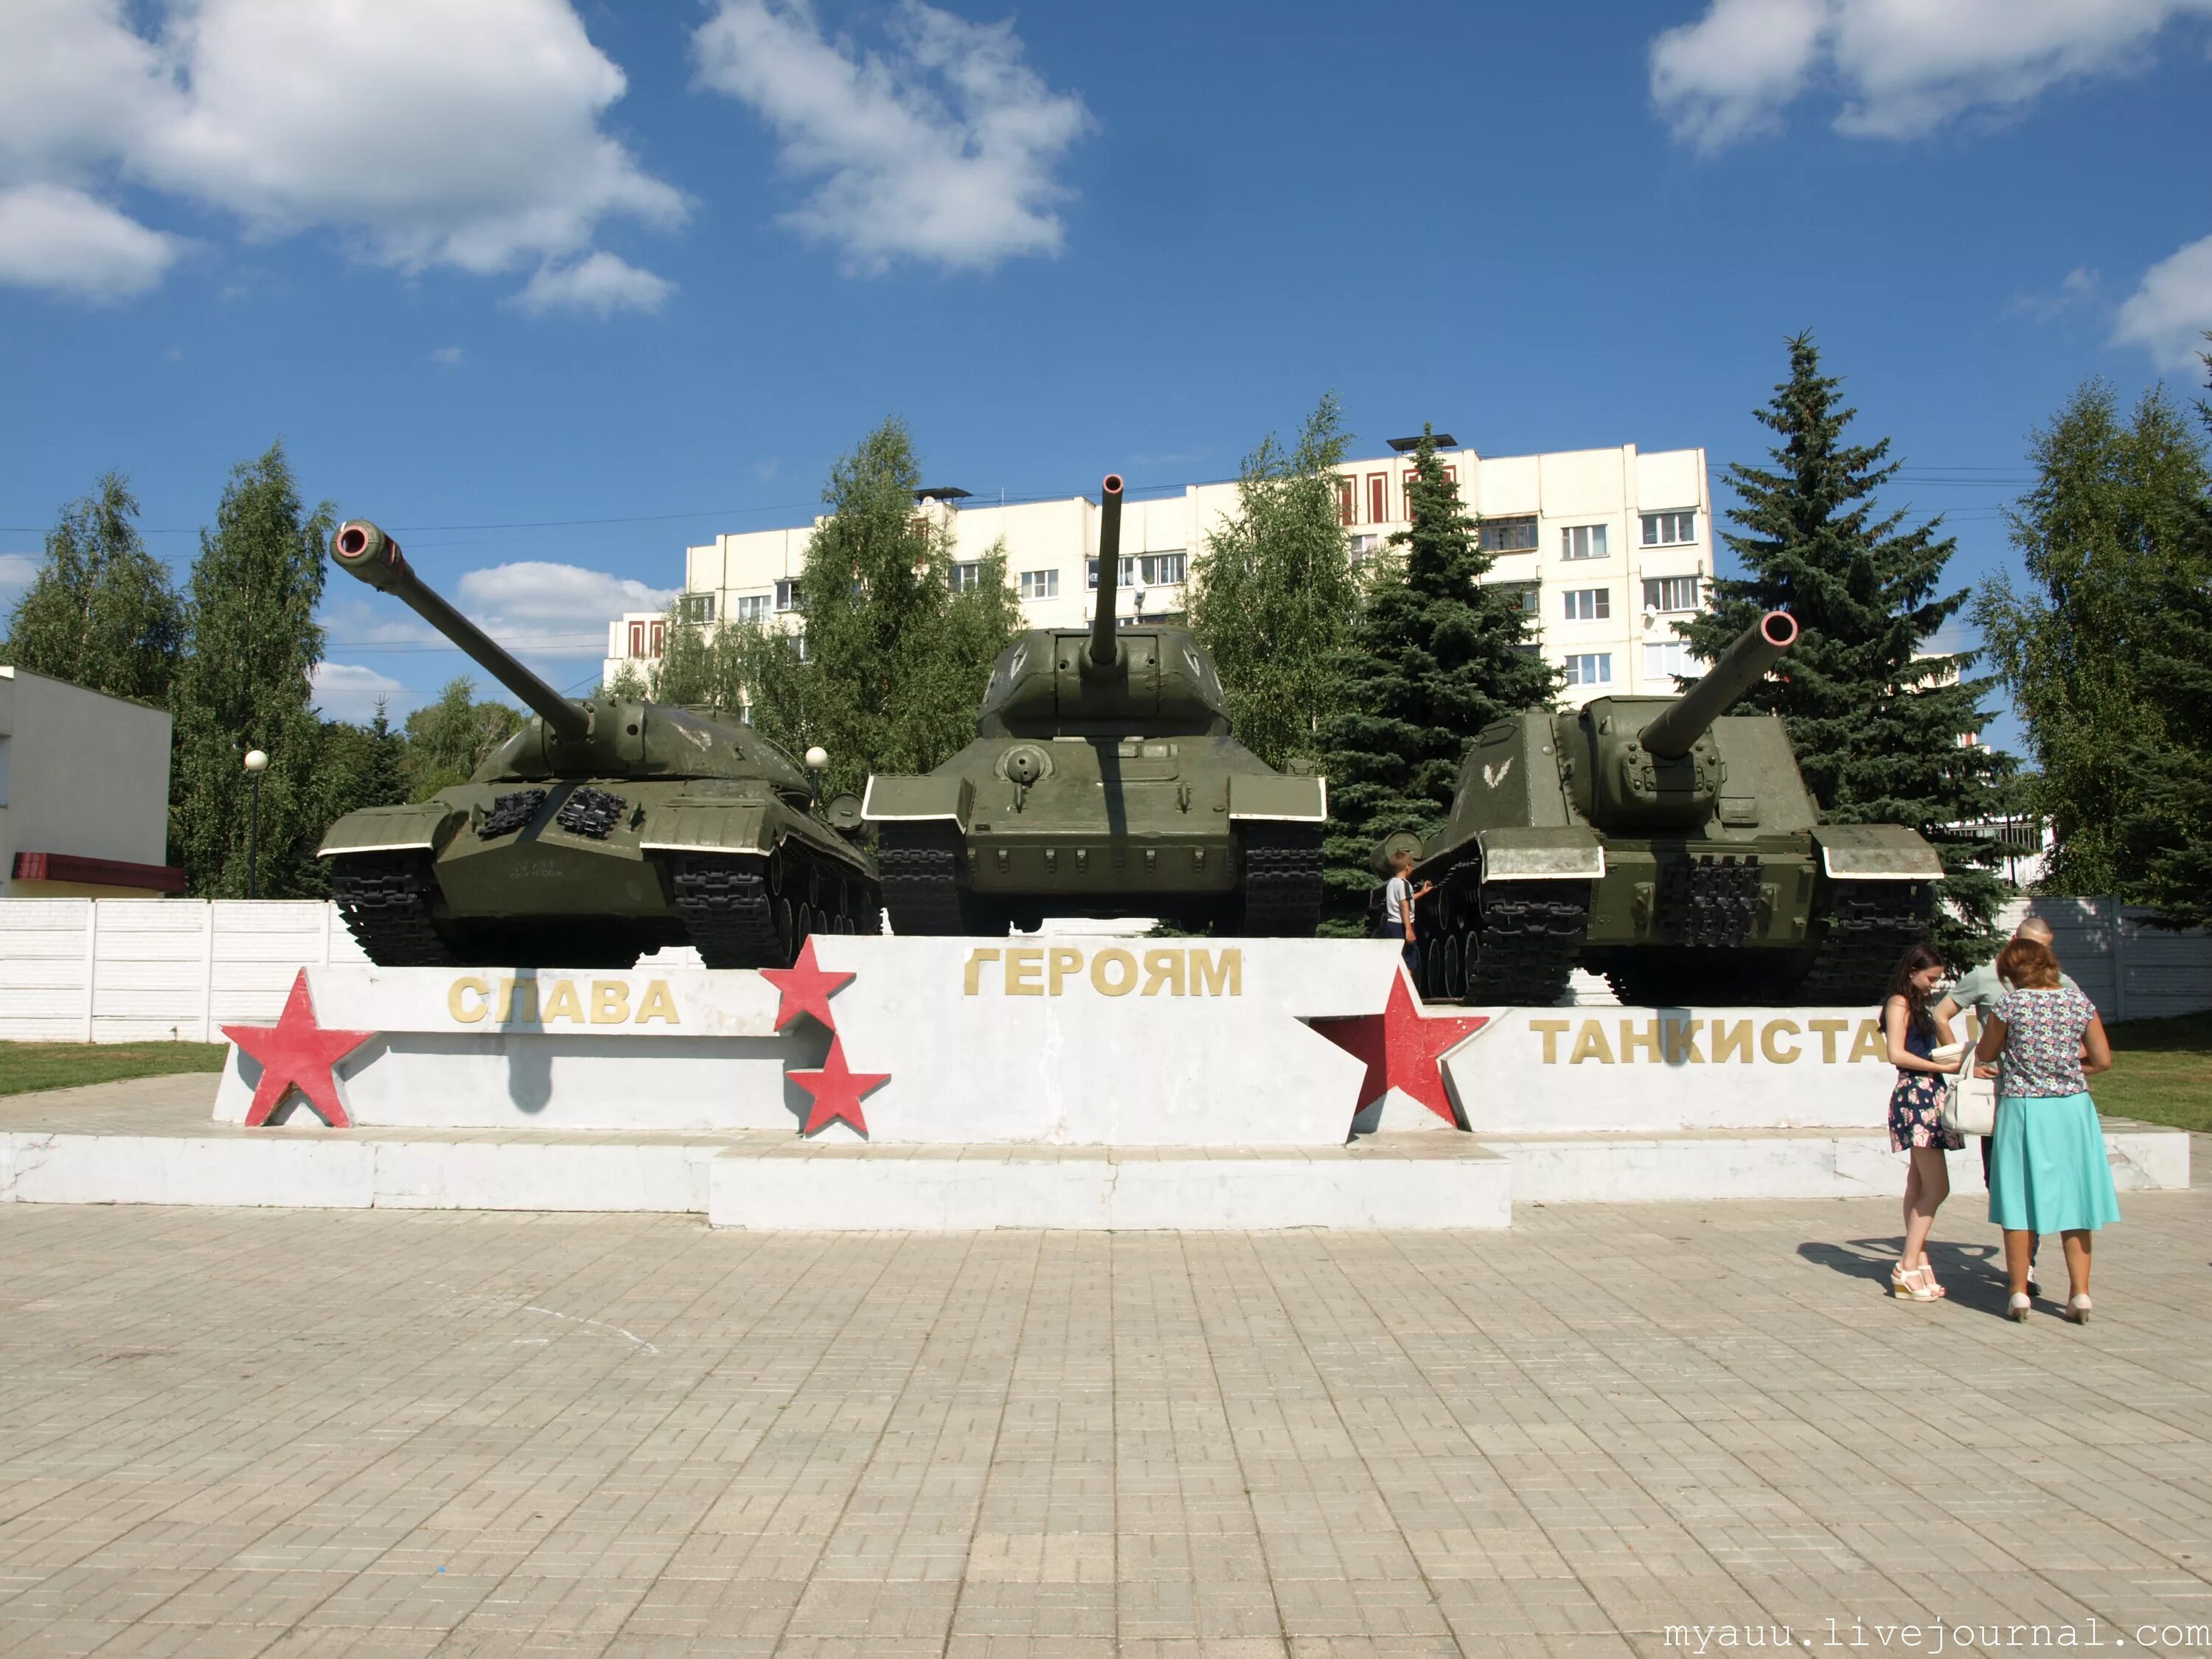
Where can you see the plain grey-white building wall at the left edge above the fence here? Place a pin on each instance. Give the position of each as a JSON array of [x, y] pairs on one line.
[[81, 773]]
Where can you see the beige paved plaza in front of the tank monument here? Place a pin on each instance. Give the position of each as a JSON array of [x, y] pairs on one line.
[[401, 1432]]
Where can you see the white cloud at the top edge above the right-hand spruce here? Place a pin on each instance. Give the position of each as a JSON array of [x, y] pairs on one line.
[[1903, 67]]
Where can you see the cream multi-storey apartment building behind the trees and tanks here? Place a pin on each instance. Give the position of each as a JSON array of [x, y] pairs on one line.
[[1605, 547]]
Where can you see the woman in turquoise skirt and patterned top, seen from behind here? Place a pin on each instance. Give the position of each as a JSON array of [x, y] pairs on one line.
[[2047, 1167]]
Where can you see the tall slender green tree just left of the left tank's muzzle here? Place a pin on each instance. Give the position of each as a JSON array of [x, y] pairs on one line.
[[244, 682]]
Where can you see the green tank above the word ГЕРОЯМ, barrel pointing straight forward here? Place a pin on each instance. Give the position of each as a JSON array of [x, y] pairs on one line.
[[1103, 782]]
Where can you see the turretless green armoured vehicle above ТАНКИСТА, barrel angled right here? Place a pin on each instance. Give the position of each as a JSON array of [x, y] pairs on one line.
[[1669, 846]]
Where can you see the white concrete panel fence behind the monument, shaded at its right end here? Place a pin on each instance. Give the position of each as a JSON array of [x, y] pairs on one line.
[[176, 970]]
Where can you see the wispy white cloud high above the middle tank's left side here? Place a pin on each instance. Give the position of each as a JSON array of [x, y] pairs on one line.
[[939, 149]]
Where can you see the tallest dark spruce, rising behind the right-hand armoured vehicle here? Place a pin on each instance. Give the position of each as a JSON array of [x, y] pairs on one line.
[[1875, 718]]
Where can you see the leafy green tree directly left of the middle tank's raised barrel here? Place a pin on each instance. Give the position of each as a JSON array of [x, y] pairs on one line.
[[899, 636]]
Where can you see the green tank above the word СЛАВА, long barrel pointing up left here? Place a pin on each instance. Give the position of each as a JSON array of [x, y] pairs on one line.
[[596, 833]]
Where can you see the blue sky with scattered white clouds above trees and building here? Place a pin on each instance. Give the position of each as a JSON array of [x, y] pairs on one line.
[[605, 280]]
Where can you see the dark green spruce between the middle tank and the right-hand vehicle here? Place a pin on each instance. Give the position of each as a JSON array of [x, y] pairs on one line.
[[1432, 660]]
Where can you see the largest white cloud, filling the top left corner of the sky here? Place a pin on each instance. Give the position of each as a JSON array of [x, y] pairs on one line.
[[419, 132]]
